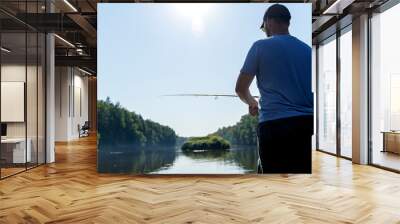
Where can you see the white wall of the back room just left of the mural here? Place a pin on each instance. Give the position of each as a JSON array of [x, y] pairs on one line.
[[71, 93]]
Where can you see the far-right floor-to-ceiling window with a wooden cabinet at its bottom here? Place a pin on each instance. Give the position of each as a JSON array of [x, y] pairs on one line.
[[385, 89]]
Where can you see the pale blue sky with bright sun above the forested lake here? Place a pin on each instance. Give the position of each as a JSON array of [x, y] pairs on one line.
[[148, 50]]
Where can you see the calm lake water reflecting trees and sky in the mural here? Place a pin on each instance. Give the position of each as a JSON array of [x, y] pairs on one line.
[[171, 160]]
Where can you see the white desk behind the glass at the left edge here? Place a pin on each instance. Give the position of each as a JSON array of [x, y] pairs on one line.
[[14, 150]]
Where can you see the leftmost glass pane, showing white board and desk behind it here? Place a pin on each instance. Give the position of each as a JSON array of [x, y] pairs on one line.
[[14, 153]]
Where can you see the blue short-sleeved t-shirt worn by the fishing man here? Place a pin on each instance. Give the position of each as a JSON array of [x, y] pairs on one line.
[[282, 65]]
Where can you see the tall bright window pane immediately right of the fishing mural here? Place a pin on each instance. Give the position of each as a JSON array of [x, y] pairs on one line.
[[327, 95]]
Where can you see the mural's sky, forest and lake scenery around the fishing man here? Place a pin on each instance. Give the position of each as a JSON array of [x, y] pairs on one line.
[[165, 86]]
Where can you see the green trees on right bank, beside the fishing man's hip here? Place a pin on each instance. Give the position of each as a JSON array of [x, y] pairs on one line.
[[242, 133]]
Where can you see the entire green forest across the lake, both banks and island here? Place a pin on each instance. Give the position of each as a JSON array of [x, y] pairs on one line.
[[118, 126]]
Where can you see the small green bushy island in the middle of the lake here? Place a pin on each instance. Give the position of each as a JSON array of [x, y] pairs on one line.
[[210, 142]]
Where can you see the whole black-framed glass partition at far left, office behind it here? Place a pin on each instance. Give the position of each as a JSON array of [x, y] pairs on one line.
[[22, 77]]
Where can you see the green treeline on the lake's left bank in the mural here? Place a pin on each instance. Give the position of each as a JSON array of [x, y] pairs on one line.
[[118, 125]]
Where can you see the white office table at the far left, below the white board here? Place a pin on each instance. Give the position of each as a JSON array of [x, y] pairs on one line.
[[19, 155]]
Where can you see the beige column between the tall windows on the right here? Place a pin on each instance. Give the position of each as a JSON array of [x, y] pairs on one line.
[[360, 90]]
